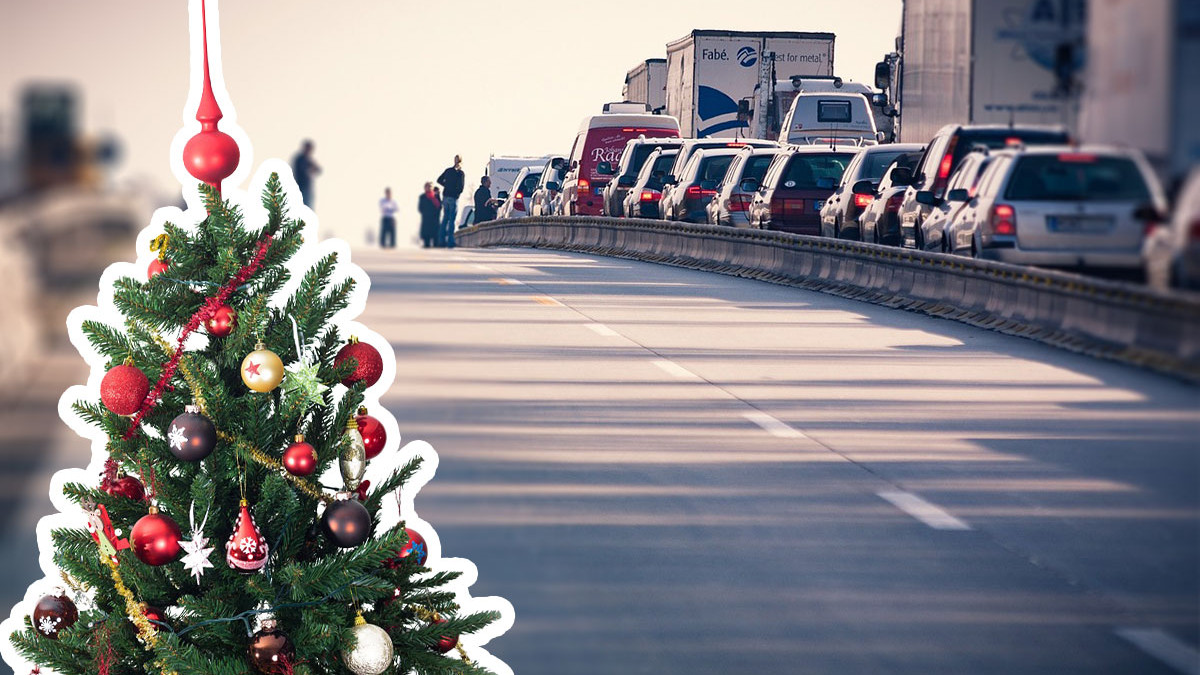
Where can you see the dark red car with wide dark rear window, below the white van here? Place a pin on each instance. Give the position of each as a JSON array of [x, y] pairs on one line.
[[796, 187]]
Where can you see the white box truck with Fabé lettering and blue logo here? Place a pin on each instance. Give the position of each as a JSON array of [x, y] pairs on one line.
[[711, 71]]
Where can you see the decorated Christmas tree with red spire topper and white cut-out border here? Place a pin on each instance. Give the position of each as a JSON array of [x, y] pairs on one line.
[[249, 507]]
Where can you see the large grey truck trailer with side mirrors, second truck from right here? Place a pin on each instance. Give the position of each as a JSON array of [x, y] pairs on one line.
[[986, 62]]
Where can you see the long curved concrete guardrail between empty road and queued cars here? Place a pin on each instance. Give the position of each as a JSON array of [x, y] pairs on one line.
[[1111, 320]]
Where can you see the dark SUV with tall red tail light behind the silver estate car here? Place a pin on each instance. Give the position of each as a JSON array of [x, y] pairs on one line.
[[947, 150]]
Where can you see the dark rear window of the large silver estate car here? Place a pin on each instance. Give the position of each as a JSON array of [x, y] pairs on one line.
[[1077, 178]]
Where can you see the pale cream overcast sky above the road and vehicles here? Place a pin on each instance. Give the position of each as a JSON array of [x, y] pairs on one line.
[[391, 91]]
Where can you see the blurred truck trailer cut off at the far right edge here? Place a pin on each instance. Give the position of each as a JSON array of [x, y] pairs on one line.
[[1141, 89]]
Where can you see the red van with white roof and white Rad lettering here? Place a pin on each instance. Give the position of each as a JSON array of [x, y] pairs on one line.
[[603, 139]]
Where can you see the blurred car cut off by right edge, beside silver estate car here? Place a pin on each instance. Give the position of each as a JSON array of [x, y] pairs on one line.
[[1172, 256]]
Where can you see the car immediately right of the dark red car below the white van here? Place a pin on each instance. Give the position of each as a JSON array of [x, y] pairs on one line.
[[856, 190]]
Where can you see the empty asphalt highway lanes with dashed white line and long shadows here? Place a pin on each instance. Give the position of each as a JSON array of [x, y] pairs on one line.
[[673, 471]]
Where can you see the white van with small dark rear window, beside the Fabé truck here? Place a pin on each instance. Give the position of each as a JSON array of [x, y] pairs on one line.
[[827, 116]]
